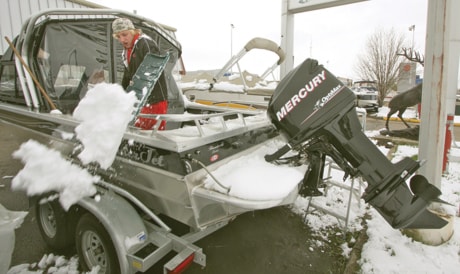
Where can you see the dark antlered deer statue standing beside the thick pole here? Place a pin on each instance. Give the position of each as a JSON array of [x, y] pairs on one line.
[[408, 98]]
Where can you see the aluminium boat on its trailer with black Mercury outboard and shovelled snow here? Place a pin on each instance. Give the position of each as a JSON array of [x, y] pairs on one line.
[[136, 178]]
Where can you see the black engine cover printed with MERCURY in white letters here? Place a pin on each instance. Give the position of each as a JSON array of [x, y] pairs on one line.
[[308, 98]]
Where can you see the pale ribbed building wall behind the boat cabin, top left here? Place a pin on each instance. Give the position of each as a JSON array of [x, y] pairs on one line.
[[13, 14]]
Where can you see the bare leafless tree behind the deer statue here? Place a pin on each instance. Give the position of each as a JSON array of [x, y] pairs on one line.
[[380, 61]]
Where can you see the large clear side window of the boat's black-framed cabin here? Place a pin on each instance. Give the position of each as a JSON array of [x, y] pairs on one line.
[[71, 57]]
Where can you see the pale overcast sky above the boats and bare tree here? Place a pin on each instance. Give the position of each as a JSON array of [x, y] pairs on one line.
[[334, 36]]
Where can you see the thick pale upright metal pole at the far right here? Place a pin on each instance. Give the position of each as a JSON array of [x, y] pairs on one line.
[[439, 84]]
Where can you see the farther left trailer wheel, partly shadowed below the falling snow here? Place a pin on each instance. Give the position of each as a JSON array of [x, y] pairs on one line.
[[52, 223]]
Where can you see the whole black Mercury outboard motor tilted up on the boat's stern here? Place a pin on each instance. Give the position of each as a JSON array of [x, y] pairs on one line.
[[317, 114]]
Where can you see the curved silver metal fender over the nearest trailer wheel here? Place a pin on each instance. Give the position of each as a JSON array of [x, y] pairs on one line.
[[122, 222]]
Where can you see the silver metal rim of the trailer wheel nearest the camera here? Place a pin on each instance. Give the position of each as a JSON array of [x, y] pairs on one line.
[[94, 251]]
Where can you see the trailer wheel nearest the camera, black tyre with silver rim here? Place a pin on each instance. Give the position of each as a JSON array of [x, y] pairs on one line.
[[95, 247]]
